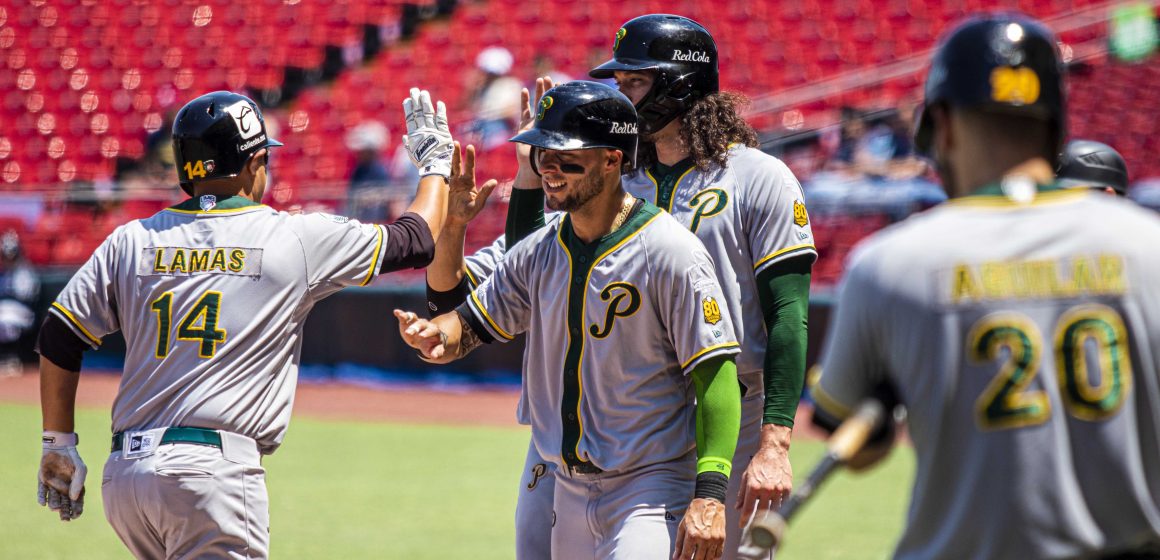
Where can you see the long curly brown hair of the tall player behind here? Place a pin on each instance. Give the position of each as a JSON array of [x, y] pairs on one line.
[[708, 129]]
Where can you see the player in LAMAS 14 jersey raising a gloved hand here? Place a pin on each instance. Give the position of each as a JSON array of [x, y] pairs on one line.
[[212, 296]]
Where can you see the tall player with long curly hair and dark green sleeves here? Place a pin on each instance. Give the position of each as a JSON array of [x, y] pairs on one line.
[[699, 162]]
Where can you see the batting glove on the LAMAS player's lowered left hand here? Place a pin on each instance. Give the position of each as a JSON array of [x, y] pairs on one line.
[[62, 476]]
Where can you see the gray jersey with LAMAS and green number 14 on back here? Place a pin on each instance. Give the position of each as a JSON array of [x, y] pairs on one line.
[[212, 304]]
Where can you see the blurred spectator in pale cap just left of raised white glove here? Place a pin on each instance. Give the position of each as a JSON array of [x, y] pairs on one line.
[[369, 179]]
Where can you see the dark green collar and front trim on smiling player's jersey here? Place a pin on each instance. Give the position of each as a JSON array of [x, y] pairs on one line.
[[582, 259]]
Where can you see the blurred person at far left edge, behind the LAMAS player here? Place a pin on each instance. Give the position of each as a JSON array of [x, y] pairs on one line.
[[20, 287]]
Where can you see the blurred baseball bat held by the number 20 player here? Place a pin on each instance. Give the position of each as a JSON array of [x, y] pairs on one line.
[[768, 529]]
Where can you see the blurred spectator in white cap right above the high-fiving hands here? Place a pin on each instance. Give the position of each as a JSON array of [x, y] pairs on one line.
[[495, 98]]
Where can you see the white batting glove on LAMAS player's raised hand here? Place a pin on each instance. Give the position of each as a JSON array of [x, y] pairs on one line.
[[429, 140]]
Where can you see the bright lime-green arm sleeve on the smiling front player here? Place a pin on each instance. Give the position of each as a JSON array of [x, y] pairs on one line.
[[719, 414]]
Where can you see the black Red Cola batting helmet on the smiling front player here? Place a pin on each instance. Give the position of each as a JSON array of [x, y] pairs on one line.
[[582, 115]]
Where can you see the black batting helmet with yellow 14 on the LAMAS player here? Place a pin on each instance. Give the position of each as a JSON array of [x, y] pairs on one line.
[[215, 135]]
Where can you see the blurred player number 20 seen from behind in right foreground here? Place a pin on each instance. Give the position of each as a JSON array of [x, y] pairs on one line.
[[1017, 331]]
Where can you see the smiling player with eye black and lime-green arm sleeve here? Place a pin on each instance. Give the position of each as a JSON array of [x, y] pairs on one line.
[[625, 329]]
